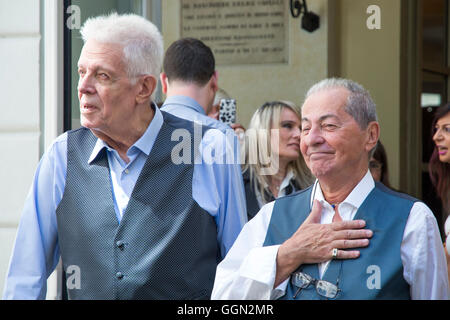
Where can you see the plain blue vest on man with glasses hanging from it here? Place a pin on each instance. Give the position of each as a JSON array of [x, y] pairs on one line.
[[378, 272]]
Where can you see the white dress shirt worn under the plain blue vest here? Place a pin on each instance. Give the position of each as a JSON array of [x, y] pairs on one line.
[[248, 271]]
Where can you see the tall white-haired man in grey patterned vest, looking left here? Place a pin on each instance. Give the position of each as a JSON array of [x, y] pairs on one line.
[[128, 220]]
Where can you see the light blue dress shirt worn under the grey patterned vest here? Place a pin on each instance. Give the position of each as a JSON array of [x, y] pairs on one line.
[[216, 188]]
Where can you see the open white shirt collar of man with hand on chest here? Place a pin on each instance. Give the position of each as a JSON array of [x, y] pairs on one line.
[[356, 196]]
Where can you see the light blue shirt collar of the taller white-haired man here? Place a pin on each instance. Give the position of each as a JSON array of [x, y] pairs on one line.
[[144, 143]]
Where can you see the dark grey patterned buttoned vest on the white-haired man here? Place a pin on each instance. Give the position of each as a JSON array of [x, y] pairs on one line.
[[165, 246]]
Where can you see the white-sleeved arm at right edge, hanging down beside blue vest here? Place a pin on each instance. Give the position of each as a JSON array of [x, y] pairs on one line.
[[423, 257]]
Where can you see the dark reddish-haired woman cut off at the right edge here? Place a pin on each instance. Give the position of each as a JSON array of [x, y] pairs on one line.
[[439, 166]]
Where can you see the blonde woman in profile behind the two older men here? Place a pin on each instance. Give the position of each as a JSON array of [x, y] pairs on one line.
[[274, 166]]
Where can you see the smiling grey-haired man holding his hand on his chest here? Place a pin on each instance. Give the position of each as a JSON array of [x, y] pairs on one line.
[[278, 254]]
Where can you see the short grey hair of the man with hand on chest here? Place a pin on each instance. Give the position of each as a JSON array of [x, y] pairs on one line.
[[359, 102]]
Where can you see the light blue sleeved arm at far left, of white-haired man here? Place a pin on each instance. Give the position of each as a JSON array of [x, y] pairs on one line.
[[36, 253]]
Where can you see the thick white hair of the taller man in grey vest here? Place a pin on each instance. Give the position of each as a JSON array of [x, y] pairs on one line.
[[141, 41]]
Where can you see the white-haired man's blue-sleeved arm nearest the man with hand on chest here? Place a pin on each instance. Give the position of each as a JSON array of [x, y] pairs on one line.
[[218, 186]]
